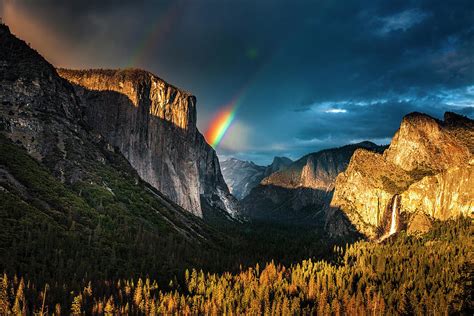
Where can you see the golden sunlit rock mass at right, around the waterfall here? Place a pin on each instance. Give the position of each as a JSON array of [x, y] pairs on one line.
[[428, 163]]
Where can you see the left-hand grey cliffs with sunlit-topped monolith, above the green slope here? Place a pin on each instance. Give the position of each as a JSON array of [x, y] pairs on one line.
[[150, 122]]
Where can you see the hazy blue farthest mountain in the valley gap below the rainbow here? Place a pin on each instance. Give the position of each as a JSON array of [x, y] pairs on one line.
[[242, 176]]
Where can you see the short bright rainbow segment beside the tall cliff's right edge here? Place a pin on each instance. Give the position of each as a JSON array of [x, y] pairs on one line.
[[221, 122]]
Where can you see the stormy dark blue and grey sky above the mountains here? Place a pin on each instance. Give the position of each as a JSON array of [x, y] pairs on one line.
[[307, 75]]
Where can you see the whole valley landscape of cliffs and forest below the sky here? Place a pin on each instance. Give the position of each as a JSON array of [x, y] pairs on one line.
[[113, 202]]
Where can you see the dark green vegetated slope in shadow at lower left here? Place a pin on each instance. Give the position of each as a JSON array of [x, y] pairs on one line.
[[108, 225]]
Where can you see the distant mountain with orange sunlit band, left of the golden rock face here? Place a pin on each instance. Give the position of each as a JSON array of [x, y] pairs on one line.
[[303, 189]]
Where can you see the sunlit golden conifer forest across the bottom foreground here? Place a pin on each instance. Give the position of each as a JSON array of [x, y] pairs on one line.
[[407, 275]]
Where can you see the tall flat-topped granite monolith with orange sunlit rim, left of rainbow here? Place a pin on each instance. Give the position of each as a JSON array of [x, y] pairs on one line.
[[154, 125]]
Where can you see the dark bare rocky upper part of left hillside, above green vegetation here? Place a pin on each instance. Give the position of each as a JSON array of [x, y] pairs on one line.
[[41, 112]]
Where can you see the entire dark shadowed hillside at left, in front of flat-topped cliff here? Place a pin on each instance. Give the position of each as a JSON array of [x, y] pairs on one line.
[[72, 197]]
